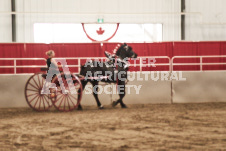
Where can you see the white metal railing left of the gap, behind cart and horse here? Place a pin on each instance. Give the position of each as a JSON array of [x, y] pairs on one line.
[[142, 62]]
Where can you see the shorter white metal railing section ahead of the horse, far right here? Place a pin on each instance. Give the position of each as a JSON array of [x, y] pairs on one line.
[[200, 64]]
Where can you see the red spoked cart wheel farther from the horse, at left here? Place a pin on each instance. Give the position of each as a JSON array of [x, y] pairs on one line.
[[34, 98]]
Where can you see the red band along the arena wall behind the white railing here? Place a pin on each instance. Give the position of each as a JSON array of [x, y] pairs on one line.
[[31, 50]]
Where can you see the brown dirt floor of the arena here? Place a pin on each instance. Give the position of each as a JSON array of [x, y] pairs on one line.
[[140, 127]]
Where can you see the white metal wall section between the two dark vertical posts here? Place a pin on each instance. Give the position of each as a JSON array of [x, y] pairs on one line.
[[123, 11]]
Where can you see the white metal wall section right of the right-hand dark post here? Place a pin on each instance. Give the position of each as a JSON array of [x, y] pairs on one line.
[[208, 21]]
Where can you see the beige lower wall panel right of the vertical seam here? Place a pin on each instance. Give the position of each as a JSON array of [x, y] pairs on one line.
[[207, 86]]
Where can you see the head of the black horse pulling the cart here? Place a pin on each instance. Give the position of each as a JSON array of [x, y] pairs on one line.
[[125, 51]]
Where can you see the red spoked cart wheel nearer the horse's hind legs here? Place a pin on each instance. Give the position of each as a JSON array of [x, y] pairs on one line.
[[66, 99]]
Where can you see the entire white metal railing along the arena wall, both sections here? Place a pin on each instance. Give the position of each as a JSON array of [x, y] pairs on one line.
[[170, 63]]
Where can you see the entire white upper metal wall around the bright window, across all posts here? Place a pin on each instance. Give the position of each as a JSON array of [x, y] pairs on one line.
[[205, 19]]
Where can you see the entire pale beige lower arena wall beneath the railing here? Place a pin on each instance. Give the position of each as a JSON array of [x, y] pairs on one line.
[[199, 87]]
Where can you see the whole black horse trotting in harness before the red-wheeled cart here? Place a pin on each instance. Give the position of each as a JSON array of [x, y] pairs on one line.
[[114, 70]]
